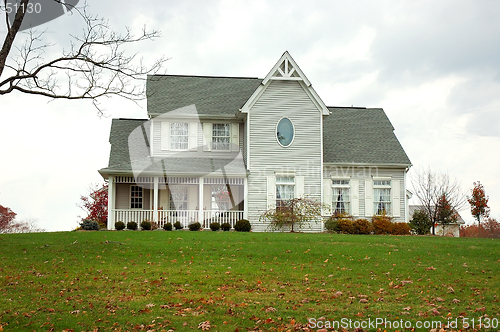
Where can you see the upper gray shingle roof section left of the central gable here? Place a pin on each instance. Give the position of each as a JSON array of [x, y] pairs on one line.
[[211, 95]]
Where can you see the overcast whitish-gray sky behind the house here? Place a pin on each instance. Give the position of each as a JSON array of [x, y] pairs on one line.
[[434, 66]]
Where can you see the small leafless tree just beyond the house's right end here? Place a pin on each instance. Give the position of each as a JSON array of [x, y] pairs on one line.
[[429, 187]]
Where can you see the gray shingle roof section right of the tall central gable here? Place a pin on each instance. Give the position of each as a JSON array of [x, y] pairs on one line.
[[361, 136]]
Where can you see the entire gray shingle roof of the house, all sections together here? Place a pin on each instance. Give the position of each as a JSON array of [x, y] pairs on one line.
[[350, 135]]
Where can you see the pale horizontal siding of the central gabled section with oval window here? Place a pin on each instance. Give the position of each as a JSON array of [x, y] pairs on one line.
[[303, 156]]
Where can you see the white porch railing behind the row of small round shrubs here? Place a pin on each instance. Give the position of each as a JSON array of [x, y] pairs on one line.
[[185, 217]]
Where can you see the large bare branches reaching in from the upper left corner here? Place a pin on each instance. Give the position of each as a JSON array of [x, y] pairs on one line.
[[94, 66]]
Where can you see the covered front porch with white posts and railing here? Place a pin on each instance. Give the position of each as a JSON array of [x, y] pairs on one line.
[[164, 199]]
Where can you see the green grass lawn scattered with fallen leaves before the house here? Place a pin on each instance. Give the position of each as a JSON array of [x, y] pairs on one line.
[[157, 280]]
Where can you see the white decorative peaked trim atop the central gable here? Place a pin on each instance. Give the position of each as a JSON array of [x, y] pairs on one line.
[[286, 69]]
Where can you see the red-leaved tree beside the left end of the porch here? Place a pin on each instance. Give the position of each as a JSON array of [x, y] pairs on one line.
[[96, 204]]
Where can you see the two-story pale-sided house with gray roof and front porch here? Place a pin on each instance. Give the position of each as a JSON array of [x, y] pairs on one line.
[[226, 148]]
